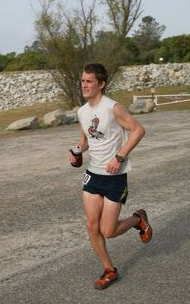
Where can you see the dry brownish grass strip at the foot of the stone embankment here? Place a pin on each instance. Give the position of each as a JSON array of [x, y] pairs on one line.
[[123, 96]]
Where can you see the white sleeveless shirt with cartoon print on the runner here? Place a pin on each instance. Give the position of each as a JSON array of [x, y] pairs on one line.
[[105, 136]]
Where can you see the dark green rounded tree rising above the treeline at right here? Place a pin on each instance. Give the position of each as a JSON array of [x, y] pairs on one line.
[[147, 39]]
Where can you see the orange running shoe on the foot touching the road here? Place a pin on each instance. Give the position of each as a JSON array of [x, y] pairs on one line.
[[108, 277]]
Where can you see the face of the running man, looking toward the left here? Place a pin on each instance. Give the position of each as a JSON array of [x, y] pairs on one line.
[[90, 86]]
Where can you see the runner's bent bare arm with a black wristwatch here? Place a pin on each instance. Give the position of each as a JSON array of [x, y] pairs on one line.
[[136, 130]]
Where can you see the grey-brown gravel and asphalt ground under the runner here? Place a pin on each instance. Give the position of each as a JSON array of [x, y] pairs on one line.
[[45, 254]]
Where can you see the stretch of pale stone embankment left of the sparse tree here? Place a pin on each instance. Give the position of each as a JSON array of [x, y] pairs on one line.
[[18, 89]]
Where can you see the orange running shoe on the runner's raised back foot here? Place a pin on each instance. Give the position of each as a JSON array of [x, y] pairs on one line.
[[144, 226]]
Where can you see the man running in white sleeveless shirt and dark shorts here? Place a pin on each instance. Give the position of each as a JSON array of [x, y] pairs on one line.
[[105, 125]]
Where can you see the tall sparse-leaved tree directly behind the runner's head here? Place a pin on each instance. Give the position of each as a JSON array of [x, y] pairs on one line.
[[70, 40]]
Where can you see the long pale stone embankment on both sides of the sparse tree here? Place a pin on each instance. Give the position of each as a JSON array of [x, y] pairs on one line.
[[19, 89]]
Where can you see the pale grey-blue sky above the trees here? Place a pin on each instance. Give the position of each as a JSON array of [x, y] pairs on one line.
[[17, 20]]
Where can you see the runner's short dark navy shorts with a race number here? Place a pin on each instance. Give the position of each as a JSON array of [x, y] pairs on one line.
[[113, 187]]
